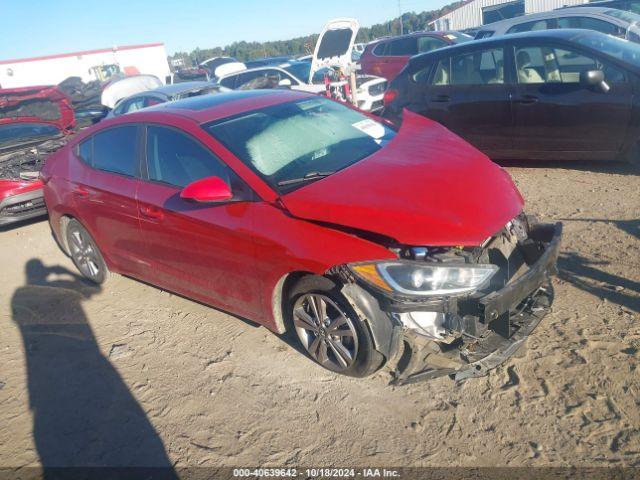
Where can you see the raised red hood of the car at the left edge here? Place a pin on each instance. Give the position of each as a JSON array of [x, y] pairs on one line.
[[45, 104]]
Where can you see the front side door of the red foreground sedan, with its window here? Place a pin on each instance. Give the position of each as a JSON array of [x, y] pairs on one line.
[[203, 251]]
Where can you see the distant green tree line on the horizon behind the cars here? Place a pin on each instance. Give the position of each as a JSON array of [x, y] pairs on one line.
[[244, 51]]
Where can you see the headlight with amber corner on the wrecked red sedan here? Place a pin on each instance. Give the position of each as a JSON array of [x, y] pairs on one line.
[[416, 278]]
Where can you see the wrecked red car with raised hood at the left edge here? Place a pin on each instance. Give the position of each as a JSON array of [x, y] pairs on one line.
[[34, 122]]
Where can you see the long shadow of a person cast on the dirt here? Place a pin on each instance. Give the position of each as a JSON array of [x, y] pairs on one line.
[[83, 412]]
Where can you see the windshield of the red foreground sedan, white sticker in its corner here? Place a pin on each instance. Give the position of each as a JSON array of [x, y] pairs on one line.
[[292, 143]]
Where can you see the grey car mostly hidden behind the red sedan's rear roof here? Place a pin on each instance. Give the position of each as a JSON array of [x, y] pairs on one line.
[[168, 93]]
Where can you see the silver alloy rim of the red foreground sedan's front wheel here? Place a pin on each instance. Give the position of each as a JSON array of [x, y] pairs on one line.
[[325, 331]]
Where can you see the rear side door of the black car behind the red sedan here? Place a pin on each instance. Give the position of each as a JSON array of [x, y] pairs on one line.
[[469, 94]]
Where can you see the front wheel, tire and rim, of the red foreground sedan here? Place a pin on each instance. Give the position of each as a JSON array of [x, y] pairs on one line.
[[329, 330]]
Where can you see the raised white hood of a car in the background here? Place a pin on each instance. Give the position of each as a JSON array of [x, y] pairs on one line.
[[334, 45]]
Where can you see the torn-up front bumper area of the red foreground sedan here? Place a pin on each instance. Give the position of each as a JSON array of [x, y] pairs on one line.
[[483, 331]]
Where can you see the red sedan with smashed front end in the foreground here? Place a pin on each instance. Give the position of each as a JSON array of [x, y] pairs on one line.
[[305, 215]]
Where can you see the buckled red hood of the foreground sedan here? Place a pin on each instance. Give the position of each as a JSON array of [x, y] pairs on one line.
[[426, 187]]
